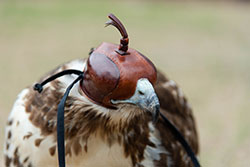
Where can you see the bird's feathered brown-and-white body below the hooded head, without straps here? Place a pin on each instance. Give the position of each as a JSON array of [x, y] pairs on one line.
[[96, 136]]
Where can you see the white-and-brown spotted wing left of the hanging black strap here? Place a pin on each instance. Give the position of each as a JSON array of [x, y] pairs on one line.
[[31, 129]]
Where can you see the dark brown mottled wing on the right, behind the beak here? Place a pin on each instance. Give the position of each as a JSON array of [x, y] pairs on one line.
[[176, 108]]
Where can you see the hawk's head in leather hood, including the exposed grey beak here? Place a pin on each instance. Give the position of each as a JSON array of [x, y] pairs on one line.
[[116, 75]]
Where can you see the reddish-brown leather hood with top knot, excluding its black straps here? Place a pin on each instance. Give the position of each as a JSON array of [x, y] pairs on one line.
[[112, 70]]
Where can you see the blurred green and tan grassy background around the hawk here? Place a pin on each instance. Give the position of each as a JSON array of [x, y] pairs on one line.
[[204, 47]]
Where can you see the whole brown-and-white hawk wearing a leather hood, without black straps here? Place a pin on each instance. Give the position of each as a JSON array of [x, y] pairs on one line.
[[102, 132]]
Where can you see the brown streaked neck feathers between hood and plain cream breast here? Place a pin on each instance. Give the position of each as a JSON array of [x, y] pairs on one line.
[[85, 122]]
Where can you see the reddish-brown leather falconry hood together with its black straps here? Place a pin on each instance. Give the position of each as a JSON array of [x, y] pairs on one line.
[[112, 72]]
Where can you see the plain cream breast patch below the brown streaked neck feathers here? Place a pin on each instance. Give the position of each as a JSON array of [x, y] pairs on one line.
[[99, 154]]
